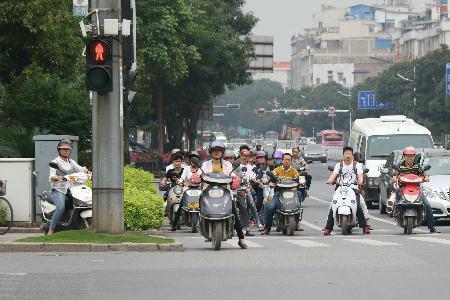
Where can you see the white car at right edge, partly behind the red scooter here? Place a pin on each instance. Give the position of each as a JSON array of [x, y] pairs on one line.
[[437, 189]]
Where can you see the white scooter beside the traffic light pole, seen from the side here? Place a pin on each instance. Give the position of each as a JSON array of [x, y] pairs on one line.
[[78, 215]]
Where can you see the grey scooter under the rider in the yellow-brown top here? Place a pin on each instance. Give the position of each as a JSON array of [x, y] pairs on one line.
[[289, 212]]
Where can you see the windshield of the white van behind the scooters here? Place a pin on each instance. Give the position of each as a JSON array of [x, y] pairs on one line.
[[380, 146]]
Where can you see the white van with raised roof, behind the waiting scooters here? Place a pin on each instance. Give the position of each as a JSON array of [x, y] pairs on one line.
[[375, 138]]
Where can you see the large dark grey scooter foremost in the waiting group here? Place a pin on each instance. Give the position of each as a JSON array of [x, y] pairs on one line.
[[216, 219]]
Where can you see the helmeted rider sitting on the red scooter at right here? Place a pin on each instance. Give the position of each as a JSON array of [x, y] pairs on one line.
[[410, 166]]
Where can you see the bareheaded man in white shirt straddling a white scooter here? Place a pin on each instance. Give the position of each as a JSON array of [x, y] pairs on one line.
[[349, 172]]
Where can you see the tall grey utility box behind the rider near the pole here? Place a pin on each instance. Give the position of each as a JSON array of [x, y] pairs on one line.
[[44, 152]]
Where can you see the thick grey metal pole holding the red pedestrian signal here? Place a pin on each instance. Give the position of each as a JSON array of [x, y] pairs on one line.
[[107, 137]]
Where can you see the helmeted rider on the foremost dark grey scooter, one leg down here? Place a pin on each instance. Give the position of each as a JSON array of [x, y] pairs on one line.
[[218, 165]]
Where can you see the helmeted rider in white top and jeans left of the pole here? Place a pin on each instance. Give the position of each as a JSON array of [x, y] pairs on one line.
[[60, 188]]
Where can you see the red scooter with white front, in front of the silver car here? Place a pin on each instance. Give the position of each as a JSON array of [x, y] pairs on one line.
[[409, 212]]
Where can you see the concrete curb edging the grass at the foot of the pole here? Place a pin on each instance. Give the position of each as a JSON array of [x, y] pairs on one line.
[[81, 247]]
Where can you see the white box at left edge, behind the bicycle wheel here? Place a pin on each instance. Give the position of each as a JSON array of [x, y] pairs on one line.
[[19, 187]]
